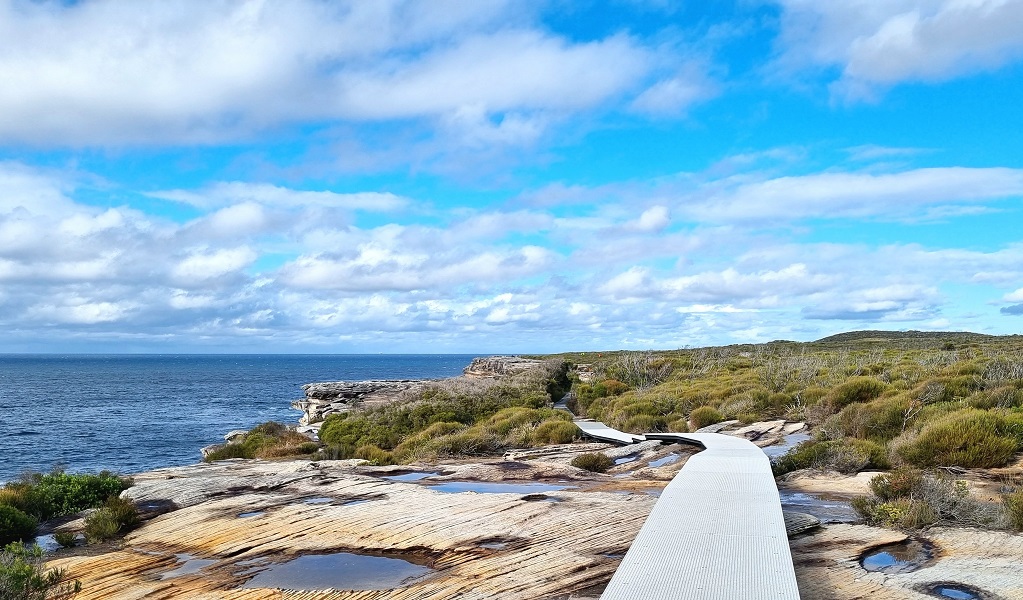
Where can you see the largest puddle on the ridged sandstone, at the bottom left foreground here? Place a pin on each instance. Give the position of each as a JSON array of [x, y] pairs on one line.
[[342, 572]]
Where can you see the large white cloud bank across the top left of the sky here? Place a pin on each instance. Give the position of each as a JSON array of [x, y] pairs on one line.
[[111, 73]]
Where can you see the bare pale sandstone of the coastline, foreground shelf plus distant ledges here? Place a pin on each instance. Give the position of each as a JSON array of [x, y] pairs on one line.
[[524, 526]]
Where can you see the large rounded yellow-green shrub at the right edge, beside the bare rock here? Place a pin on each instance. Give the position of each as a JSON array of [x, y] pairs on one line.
[[971, 439]]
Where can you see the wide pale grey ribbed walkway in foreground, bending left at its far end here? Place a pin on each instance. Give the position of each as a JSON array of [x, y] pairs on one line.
[[717, 533]]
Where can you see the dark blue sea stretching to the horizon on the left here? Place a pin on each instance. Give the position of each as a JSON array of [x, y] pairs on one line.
[[130, 413]]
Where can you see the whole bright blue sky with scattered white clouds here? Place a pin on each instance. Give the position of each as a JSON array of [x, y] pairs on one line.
[[487, 176]]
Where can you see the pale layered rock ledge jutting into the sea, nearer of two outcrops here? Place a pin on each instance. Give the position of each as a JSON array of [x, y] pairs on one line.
[[337, 397]]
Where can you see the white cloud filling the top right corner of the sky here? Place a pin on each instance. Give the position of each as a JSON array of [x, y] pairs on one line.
[[880, 44]]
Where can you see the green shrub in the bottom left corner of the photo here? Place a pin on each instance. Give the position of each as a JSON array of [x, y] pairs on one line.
[[24, 576]]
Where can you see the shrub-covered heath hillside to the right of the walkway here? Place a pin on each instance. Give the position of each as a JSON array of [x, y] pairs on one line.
[[924, 400]]
